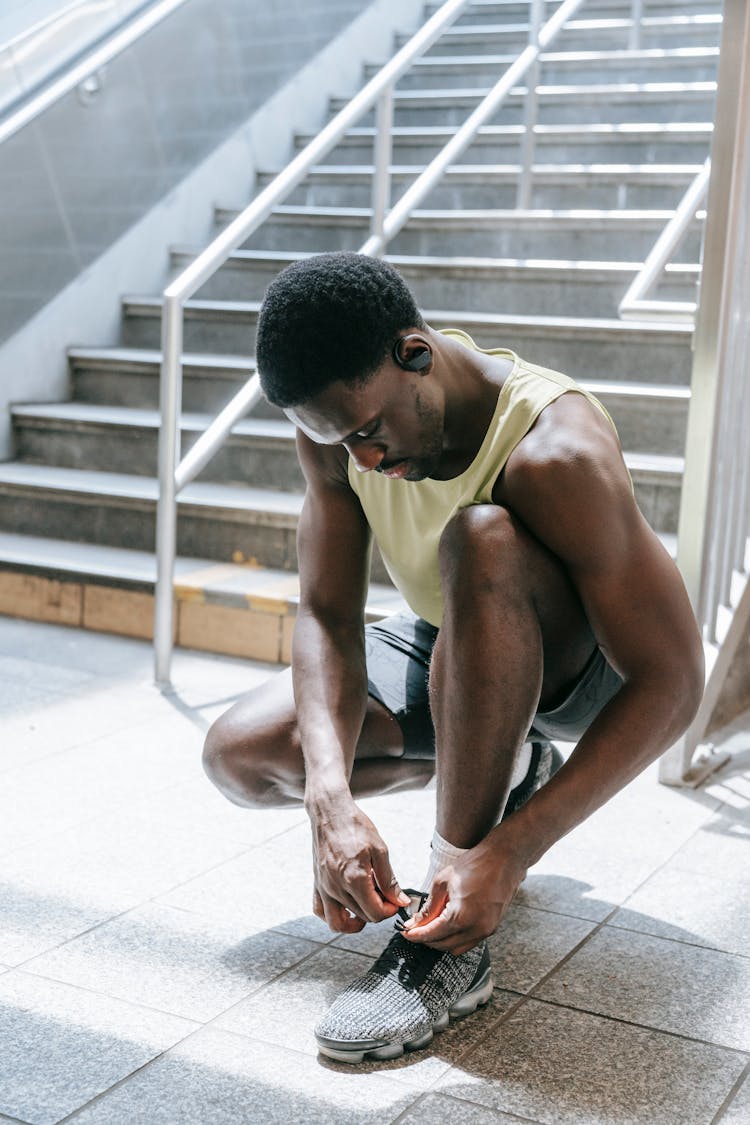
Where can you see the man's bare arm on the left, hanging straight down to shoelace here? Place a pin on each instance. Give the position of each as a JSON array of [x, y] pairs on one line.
[[355, 881]]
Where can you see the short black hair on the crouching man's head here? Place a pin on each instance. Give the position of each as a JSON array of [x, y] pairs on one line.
[[327, 319]]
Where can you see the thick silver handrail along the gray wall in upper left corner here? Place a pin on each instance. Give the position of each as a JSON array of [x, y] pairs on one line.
[[94, 61]]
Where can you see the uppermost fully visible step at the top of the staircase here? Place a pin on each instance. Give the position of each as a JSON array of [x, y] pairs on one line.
[[609, 33]]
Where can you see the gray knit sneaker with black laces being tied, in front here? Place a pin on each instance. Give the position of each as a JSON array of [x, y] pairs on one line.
[[410, 993]]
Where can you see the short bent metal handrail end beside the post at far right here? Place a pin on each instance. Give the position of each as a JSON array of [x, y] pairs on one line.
[[635, 304]]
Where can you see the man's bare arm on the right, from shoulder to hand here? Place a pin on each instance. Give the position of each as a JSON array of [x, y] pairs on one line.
[[567, 482]]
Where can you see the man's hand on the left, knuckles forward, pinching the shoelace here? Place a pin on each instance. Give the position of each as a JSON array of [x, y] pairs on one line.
[[355, 883]]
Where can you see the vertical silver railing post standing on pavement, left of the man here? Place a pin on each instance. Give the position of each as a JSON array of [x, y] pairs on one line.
[[169, 456]]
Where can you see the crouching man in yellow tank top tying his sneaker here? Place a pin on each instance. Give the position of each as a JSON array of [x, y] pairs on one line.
[[544, 606]]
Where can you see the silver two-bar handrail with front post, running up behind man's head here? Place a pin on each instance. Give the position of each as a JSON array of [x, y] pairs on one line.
[[174, 473]]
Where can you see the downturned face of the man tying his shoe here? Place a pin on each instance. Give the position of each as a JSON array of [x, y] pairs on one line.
[[393, 424]]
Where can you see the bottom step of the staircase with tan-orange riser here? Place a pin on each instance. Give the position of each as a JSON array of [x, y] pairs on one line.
[[236, 609]]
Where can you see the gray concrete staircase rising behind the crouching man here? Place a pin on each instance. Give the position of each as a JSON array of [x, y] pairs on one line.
[[622, 133]]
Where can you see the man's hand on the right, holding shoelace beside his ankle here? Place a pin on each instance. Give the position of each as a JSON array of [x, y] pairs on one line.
[[468, 898]]
